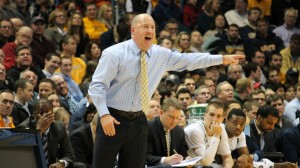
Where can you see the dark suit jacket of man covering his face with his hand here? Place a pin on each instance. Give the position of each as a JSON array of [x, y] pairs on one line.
[[59, 145]]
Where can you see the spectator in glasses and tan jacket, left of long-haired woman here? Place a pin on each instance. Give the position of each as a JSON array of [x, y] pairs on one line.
[[55, 30]]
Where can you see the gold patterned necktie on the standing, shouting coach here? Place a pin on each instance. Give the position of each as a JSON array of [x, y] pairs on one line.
[[144, 83]]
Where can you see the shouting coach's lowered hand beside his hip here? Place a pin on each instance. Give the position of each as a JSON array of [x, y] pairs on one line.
[[107, 122]]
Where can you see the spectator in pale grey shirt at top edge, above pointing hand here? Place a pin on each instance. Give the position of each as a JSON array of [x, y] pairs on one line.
[[238, 15]]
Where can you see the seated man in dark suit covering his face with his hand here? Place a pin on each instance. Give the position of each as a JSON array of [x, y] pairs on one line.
[[60, 153]]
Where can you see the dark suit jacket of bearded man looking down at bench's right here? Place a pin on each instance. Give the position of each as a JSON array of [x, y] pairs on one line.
[[269, 138]]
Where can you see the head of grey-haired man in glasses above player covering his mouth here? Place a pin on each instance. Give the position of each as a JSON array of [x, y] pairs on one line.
[[202, 94]]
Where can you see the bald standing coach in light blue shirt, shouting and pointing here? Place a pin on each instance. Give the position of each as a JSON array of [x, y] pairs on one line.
[[116, 92]]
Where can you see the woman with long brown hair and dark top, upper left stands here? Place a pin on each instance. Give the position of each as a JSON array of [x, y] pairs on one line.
[[76, 30]]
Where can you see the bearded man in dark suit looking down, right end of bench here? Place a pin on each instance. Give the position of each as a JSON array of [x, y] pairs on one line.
[[267, 117]]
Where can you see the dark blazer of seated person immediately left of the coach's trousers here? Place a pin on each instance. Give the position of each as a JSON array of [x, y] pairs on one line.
[[83, 145]]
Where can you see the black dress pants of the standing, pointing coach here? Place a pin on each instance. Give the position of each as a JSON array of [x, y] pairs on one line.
[[130, 142]]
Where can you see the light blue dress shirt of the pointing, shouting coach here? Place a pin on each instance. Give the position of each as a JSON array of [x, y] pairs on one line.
[[116, 81]]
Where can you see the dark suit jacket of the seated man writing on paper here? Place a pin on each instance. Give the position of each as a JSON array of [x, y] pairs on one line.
[[156, 143]]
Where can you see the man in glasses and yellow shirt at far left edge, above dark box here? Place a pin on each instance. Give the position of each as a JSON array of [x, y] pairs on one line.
[[6, 105]]
